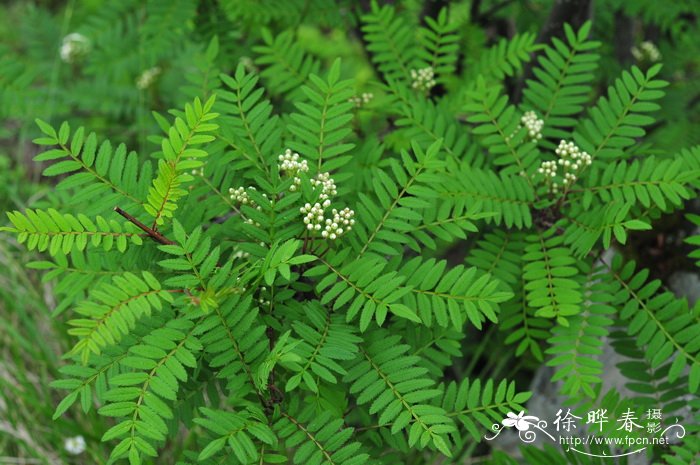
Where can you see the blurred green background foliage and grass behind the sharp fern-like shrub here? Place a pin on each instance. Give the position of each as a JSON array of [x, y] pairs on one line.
[[158, 54]]
